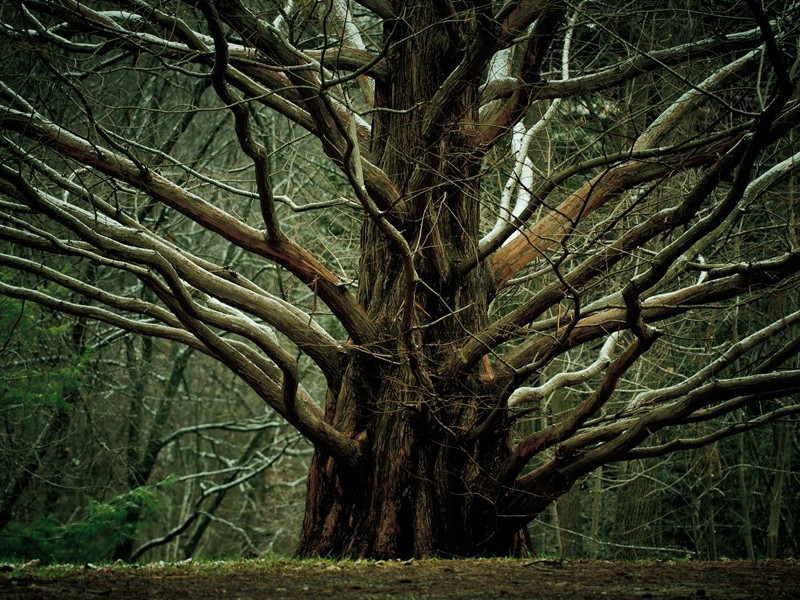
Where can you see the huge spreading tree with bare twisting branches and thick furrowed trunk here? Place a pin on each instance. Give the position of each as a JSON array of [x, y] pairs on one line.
[[633, 145]]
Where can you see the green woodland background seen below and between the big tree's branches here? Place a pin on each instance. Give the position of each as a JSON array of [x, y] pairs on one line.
[[114, 445]]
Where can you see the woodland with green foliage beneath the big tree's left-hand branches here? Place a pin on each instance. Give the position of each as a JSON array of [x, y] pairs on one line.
[[100, 462]]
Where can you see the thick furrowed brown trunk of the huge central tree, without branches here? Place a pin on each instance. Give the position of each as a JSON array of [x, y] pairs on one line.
[[426, 488]]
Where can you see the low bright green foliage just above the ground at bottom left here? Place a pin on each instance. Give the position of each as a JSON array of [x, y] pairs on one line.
[[105, 525]]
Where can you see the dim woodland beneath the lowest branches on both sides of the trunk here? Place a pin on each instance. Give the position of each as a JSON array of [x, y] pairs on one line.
[[123, 435]]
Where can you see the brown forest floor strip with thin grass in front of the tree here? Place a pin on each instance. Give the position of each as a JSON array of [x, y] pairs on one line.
[[448, 579]]
